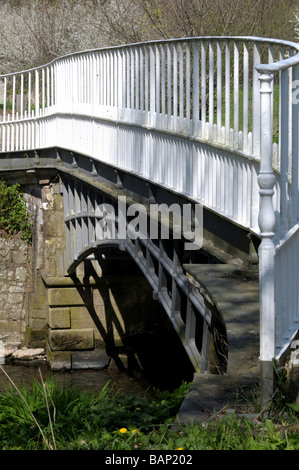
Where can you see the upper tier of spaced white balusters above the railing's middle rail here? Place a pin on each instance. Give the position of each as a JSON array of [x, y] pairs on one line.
[[205, 87]]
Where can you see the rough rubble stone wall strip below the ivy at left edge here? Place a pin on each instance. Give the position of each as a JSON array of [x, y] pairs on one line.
[[15, 286]]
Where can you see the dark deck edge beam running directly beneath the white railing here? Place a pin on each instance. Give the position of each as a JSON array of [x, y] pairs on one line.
[[222, 239]]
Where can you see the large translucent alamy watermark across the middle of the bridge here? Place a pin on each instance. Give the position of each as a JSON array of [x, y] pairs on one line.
[[136, 221]]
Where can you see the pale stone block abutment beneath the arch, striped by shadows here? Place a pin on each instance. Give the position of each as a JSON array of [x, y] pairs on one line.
[[85, 317]]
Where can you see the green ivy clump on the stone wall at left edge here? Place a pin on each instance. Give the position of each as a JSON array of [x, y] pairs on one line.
[[13, 212]]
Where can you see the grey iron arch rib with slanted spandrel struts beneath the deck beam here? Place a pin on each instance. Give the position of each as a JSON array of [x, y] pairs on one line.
[[195, 318]]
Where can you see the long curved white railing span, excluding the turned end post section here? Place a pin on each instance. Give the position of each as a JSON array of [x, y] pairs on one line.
[[199, 89]]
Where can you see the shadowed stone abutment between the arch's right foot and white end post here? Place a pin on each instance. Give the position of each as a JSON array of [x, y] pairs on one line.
[[236, 295]]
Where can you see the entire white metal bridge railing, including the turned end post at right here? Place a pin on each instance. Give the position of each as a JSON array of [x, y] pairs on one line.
[[222, 118]]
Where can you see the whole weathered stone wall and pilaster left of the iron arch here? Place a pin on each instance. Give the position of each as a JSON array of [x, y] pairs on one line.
[[23, 296]]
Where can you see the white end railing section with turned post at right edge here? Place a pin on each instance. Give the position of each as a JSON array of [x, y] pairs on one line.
[[279, 215]]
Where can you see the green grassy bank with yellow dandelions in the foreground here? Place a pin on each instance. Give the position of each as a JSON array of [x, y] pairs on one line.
[[48, 416]]
